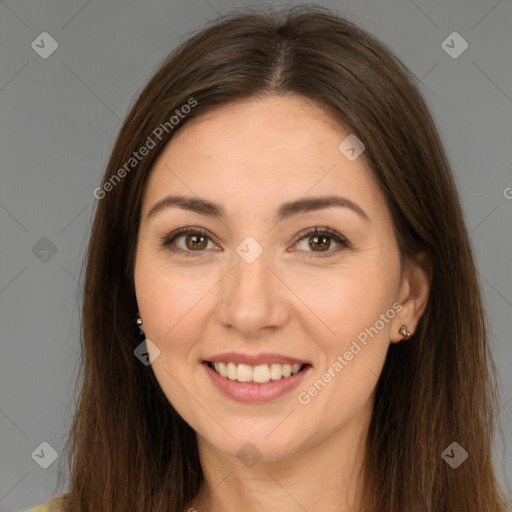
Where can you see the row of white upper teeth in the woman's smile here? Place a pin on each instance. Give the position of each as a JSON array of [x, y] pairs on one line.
[[261, 374]]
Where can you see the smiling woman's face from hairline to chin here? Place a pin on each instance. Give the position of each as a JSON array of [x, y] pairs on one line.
[[252, 288]]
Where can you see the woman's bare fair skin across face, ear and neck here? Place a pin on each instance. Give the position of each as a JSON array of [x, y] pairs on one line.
[[251, 157]]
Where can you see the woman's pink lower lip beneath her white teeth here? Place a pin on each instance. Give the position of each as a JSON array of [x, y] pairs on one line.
[[252, 392]]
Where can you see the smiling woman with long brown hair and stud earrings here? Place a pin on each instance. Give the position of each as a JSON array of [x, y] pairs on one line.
[[279, 222]]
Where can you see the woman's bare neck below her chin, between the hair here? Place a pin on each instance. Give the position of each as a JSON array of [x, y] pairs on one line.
[[325, 476]]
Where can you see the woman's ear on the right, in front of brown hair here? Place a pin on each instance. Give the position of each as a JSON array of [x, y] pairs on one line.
[[413, 295]]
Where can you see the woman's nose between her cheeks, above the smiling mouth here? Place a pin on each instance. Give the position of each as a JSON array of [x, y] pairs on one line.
[[253, 301]]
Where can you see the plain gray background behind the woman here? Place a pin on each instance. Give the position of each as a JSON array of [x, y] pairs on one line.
[[58, 121]]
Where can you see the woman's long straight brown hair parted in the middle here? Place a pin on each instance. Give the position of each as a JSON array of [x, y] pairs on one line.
[[128, 448]]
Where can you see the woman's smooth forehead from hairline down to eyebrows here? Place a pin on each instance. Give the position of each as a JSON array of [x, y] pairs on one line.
[[261, 152]]
